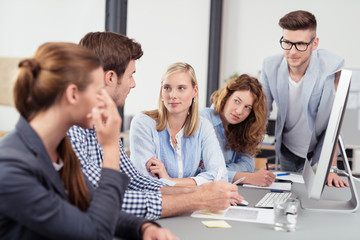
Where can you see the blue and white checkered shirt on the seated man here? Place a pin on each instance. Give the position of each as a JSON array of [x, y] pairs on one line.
[[143, 198]]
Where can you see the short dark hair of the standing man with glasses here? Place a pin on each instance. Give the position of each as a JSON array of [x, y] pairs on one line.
[[298, 20]]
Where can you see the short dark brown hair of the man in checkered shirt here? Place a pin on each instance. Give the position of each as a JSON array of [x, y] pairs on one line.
[[115, 50]]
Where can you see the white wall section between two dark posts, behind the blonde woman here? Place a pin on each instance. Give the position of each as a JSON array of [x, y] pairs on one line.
[[169, 31]]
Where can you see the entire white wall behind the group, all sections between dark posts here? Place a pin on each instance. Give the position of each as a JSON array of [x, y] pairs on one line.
[[178, 30]]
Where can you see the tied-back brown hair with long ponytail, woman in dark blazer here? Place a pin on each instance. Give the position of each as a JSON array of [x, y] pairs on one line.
[[42, 80]]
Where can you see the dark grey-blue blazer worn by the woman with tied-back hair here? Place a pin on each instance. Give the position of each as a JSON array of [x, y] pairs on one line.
[[33, 203]]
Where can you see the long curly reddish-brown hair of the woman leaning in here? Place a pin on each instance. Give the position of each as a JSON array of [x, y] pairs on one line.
[[244, 137]]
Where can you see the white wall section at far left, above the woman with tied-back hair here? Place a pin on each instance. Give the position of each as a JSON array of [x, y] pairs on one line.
[[26, 24]]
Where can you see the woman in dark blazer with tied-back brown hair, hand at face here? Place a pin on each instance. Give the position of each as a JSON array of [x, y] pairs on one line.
[[43, 193]]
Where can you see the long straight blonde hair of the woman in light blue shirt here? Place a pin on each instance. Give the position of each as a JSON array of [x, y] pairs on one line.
[[160, 115]]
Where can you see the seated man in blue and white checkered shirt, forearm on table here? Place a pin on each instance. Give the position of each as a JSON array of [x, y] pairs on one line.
[[145, 197]]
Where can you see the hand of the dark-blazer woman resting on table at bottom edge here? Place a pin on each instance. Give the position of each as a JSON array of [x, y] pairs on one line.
[[151, 231]]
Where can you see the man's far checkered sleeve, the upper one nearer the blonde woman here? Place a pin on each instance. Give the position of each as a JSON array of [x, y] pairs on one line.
[[138, 181]]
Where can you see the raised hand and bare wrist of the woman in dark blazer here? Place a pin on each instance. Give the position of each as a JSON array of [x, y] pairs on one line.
[[107, 122]]
